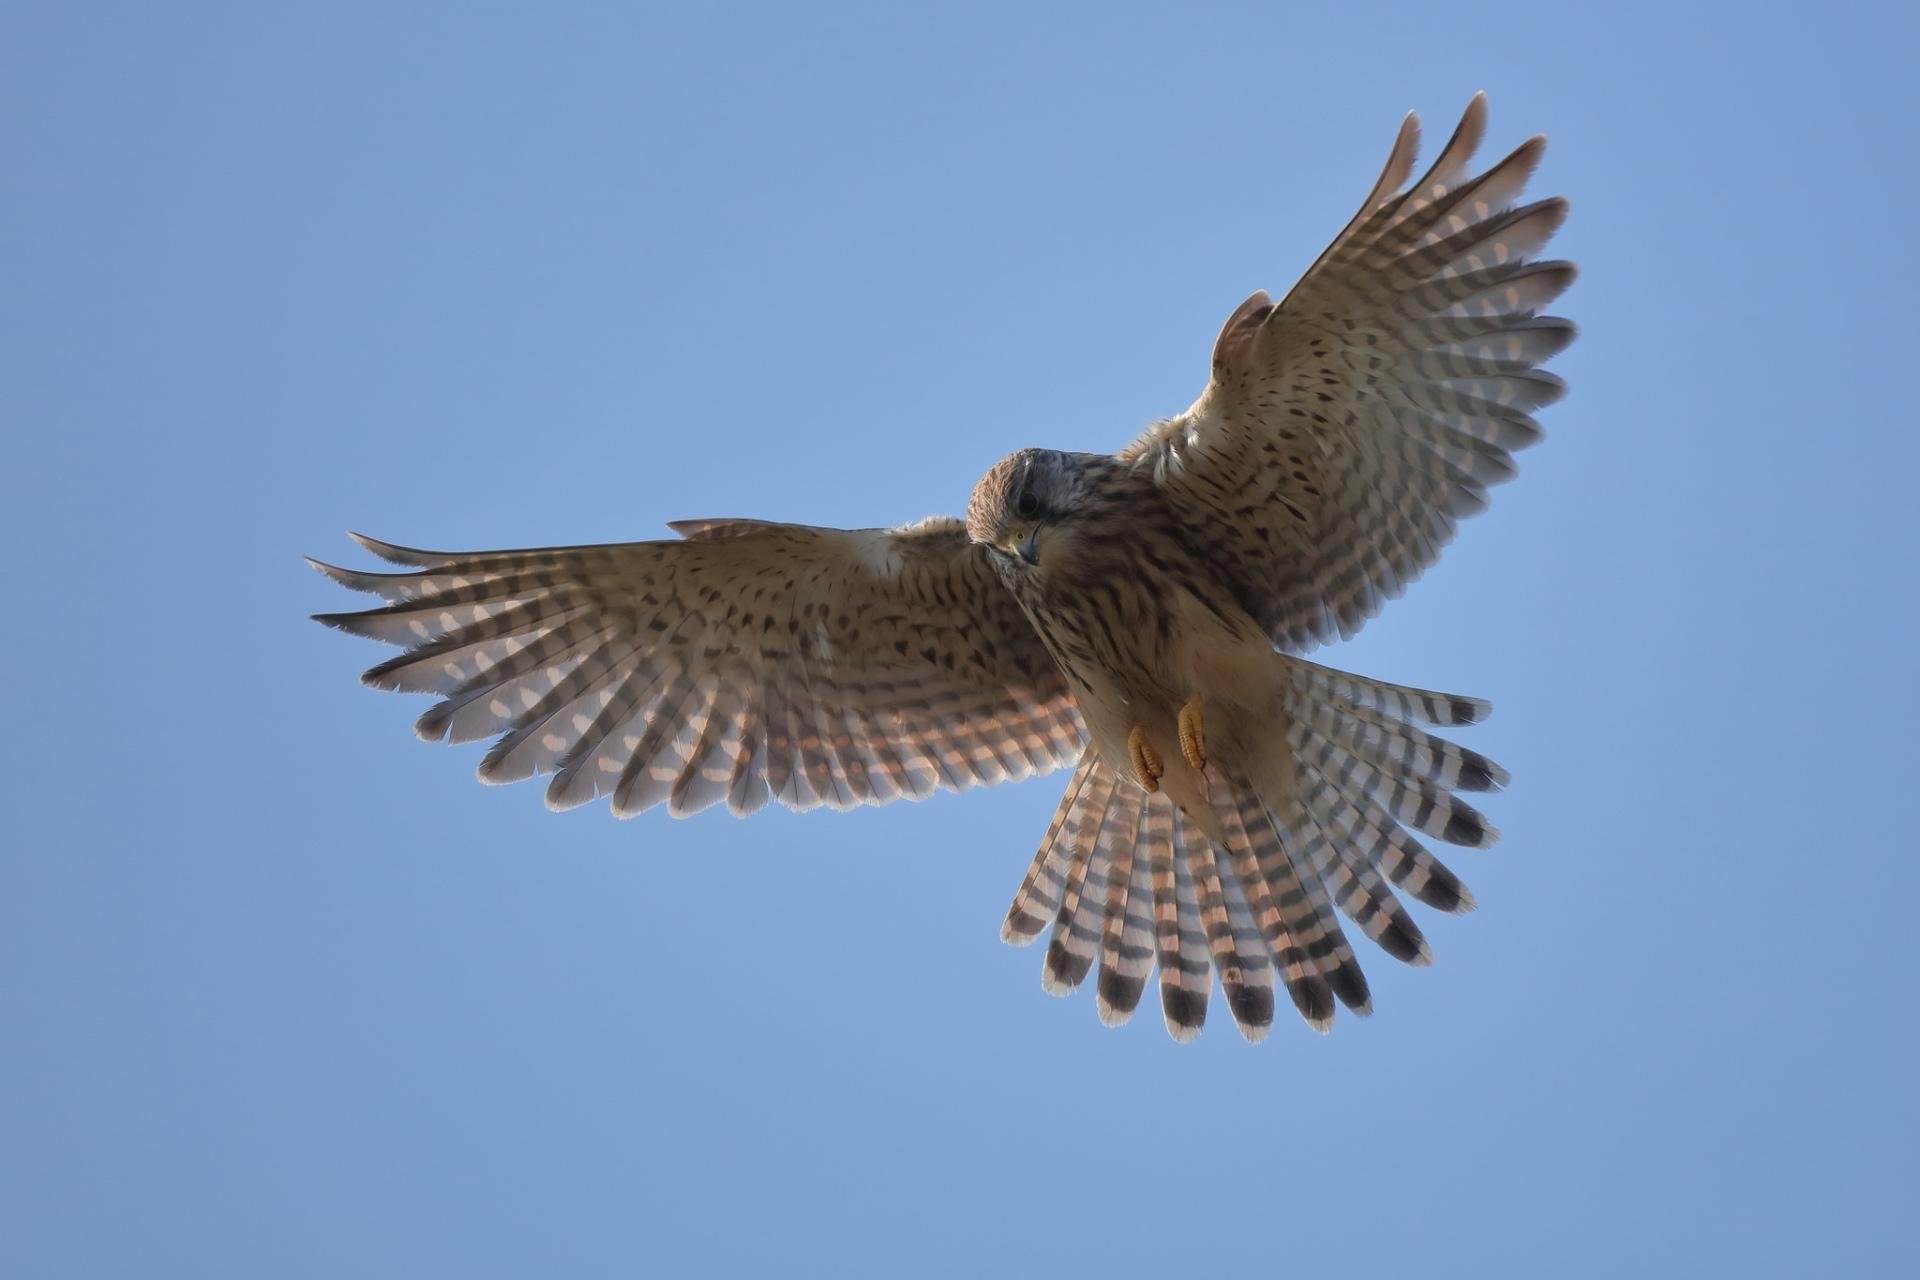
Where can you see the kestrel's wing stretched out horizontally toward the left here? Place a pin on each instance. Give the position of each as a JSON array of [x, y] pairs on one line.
[[748, 663]]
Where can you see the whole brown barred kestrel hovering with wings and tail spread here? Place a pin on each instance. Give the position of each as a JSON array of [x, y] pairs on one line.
[[1140, 617]]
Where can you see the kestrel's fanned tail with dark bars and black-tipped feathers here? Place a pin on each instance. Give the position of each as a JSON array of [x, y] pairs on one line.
[[1310, 828]]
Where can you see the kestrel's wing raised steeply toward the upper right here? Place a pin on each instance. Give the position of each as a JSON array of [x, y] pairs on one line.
[[1351, 427]]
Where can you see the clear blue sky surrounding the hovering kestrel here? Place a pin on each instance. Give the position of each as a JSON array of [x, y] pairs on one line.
[[285, 993]]
